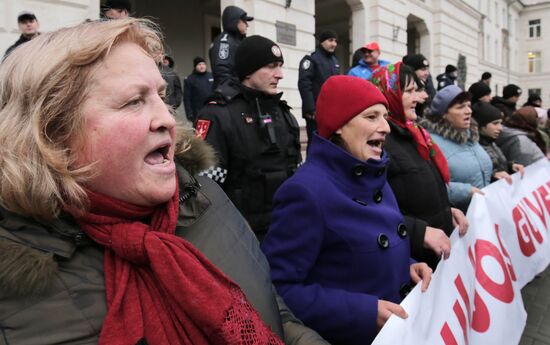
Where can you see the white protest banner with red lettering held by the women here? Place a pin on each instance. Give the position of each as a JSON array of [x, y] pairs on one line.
[[474, 297]]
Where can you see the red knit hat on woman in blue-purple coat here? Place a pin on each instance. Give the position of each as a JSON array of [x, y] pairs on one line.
[[341, 98]]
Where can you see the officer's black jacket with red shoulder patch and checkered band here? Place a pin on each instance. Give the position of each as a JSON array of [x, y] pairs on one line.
[[252, 163]]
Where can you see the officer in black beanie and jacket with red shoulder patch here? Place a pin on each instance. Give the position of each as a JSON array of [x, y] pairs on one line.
[[252, 130]]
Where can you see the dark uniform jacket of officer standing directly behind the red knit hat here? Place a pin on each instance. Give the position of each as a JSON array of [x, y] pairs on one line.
[[314, 70]]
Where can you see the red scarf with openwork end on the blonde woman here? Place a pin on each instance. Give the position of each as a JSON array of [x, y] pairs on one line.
[[159, 287]]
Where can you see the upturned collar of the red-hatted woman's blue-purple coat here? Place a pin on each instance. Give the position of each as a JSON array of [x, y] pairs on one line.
[[345, 168]]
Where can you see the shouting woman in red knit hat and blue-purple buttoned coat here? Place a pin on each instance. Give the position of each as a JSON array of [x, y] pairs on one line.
[[337, 244]]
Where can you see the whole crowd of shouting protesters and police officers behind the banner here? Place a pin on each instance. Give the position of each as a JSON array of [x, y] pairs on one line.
[[133, 229]]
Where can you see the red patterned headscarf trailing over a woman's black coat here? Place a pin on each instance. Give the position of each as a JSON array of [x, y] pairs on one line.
[[386, 79]]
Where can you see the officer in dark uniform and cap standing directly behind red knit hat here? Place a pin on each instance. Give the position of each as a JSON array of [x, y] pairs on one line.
[[314, 70]]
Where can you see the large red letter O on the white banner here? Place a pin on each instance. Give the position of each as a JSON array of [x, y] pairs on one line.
[[503, 292]]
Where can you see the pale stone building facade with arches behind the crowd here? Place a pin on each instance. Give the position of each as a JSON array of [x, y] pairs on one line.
[[499, 36]]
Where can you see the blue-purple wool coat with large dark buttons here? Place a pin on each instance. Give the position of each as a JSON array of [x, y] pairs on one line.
[[326, 243]]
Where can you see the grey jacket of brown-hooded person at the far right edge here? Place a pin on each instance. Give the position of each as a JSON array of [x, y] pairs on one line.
[[518, 147]]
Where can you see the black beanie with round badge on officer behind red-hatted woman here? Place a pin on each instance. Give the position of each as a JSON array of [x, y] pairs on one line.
[[255, 52]]
